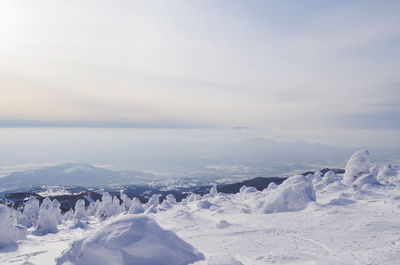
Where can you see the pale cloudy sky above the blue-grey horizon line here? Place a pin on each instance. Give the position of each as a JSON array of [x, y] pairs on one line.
[[183, 64]]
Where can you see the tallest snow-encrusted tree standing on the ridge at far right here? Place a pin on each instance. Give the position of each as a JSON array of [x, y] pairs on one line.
[[357, 166]]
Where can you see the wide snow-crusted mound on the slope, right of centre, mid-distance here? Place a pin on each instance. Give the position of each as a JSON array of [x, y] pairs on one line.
[[293, 194]]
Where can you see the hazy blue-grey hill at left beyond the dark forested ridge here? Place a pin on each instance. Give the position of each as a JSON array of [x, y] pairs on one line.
[[72, 174]]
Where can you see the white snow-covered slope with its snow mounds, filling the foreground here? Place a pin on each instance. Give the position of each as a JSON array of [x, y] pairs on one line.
[[306, 220]]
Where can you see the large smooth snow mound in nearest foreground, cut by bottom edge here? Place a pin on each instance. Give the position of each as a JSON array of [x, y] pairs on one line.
[[131, 240]]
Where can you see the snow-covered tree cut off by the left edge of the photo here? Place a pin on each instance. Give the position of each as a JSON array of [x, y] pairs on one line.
[[9, 233]]
